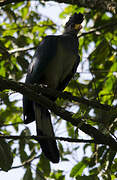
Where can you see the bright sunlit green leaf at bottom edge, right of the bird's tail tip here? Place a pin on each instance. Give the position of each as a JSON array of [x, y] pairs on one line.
[[78, 169]]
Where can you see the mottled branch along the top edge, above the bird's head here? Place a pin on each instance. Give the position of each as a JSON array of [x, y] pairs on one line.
[[106, 5]]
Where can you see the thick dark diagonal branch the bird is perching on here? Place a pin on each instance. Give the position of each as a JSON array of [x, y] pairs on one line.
[[98, 136]]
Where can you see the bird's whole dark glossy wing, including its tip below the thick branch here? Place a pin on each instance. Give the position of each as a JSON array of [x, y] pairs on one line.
[[43, 55]]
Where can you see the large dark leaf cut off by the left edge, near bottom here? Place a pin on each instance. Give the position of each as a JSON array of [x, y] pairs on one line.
[[6, 157]]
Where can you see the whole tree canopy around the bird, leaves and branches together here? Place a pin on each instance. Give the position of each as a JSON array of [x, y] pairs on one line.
[[88, 104]]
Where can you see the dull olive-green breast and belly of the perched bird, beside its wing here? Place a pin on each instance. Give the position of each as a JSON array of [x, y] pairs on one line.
[[60, 66]]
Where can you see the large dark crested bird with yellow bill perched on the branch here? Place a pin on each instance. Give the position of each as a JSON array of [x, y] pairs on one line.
[[53, 65]]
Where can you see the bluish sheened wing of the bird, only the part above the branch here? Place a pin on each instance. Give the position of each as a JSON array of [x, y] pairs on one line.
[[43, 55]]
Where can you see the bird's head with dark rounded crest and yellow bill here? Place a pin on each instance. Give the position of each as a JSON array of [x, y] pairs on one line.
[[74, 23]]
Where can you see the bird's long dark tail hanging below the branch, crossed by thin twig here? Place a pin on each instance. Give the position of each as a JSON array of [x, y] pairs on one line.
[[44, 128]]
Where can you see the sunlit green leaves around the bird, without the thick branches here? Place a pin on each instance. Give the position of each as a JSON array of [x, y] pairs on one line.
[[21, 30]]
